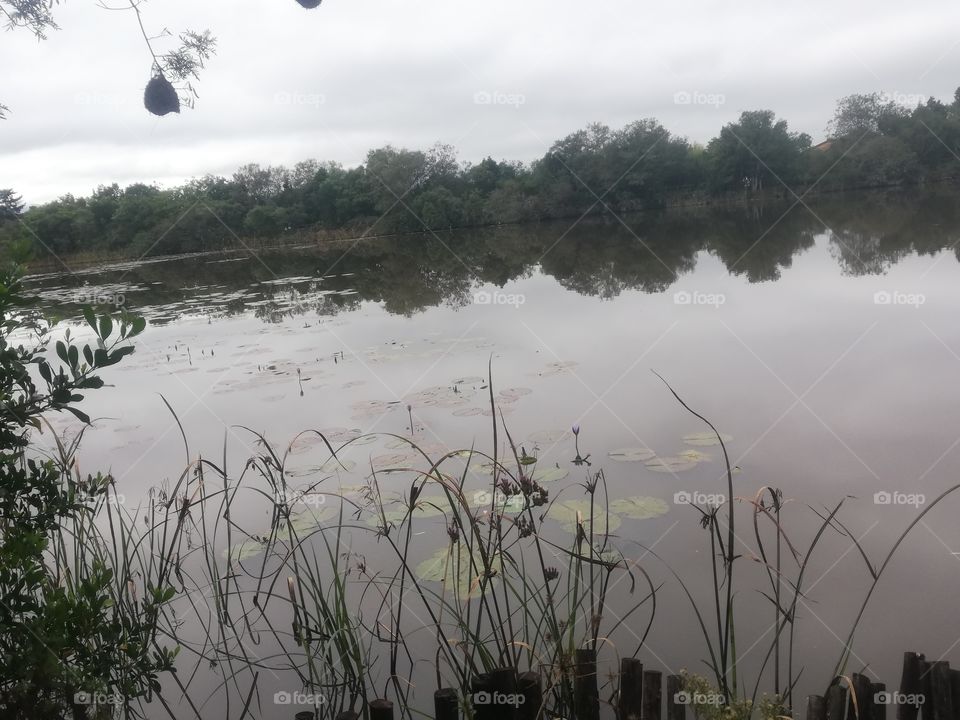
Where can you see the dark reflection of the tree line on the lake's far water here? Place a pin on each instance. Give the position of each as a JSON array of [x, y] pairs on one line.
[[408, 274]]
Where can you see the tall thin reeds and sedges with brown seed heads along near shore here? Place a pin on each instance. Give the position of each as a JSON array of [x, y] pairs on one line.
[[245, 612]]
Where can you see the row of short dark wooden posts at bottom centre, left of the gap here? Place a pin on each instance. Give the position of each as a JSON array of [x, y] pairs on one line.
[[639, 698]]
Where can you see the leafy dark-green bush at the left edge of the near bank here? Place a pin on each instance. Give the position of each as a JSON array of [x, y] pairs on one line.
[[66, 633]]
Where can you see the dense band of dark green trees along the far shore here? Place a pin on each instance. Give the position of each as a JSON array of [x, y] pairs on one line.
[[874, 142]]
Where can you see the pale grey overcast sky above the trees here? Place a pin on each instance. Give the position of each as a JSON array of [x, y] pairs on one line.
[[503, 78]]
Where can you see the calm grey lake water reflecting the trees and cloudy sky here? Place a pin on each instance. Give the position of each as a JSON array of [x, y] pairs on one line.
[[821, 338]]
